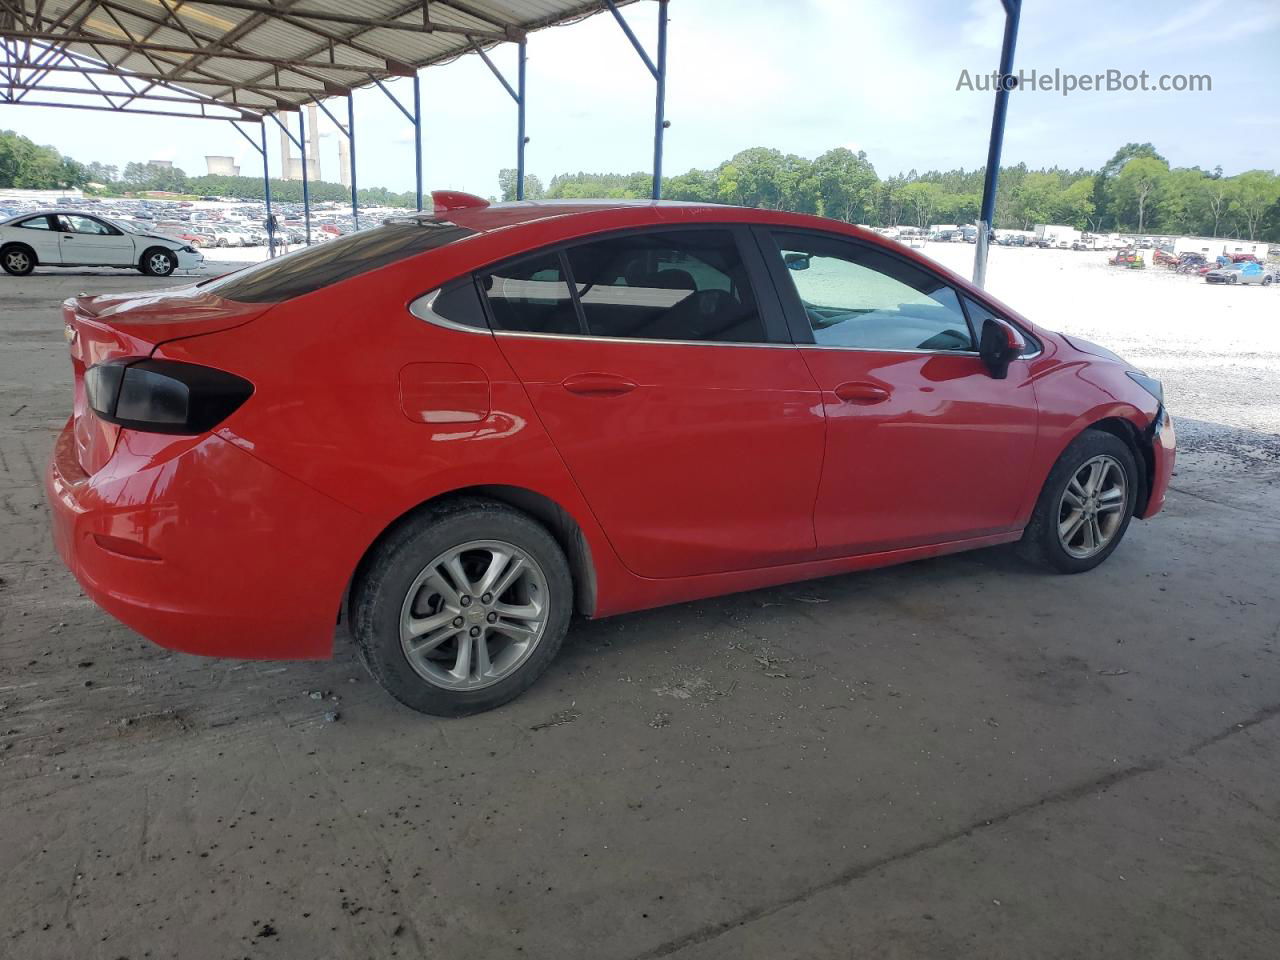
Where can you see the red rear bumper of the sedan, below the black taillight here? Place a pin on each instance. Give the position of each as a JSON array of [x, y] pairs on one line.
[[203, 548]]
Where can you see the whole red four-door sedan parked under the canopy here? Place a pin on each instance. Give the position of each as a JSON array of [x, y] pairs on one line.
[[463, 428]]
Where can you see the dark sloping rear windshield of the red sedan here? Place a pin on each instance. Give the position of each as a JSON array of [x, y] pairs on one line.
[[312, 268]]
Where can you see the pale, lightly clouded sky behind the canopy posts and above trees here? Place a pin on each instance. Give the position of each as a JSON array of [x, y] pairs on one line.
[[802, 76]]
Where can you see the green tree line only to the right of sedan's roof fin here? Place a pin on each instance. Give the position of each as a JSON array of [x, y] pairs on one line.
[[1136, 191]]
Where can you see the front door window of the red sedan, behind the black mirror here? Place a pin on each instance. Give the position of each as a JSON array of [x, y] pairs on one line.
[[860, 298]]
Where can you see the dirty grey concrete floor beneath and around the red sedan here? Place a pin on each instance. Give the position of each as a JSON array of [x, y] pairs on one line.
[[957, 758]]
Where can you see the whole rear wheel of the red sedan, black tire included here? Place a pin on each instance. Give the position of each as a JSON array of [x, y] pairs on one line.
[[406, 592]]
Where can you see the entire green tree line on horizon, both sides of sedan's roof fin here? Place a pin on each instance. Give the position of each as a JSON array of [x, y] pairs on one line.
[[1135, 191]]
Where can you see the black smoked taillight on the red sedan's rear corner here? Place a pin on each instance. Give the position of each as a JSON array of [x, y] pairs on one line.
[[164, 396]]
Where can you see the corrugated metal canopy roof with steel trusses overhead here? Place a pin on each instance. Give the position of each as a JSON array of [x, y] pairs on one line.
[[239, 60]]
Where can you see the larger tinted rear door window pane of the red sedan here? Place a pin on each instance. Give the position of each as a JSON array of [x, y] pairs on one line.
[[668, 286]]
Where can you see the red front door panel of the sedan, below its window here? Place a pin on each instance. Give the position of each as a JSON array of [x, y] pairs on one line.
[[921, 449]]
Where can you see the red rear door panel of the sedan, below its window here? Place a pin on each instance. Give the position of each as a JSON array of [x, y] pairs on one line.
[[696, 459]]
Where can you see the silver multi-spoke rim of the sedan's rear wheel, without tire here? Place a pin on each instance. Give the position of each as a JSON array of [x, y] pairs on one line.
[[474, 615]]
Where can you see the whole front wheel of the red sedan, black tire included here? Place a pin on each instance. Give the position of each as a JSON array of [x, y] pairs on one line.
[[1043, 542]]
